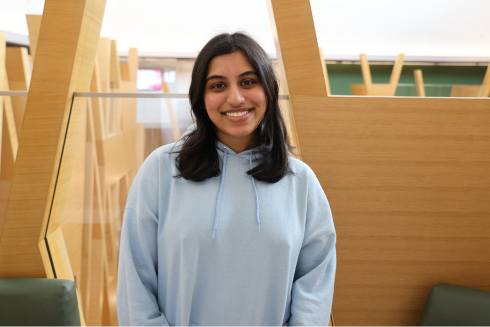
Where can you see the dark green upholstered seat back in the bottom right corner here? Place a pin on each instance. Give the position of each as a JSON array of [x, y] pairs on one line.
[[453, 305]]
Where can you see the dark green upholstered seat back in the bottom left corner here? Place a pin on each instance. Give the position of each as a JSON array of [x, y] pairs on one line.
[[38, 301]]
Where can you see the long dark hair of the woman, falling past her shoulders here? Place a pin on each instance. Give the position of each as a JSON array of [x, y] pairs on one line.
[[198, 158]]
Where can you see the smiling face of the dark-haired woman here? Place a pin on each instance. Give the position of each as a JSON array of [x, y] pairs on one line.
[[235, 100]]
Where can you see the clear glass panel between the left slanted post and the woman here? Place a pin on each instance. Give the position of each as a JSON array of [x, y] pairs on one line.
[[115, 136]]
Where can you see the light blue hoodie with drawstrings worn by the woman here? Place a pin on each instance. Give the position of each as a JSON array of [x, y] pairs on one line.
[[230, 250]]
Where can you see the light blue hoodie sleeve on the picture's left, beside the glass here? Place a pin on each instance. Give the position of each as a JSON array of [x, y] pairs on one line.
[[137, 276]]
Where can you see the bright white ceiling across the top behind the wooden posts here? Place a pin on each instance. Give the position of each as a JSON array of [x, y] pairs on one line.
[[345, 28]]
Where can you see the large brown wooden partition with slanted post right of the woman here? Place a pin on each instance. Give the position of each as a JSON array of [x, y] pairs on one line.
[[407, 180]]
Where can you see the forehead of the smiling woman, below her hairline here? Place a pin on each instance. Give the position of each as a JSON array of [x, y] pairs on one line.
[[229, 65]]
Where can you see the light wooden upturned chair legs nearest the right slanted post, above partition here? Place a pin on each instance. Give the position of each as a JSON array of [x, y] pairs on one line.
[[378, 89]]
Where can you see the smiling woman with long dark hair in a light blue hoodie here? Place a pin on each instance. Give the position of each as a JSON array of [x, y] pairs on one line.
[[224, 227]]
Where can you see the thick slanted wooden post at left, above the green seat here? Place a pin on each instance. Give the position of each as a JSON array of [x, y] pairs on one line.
[[65, 57]]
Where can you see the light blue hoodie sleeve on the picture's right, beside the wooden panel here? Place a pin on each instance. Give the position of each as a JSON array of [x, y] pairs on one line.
[[313, 285]]
